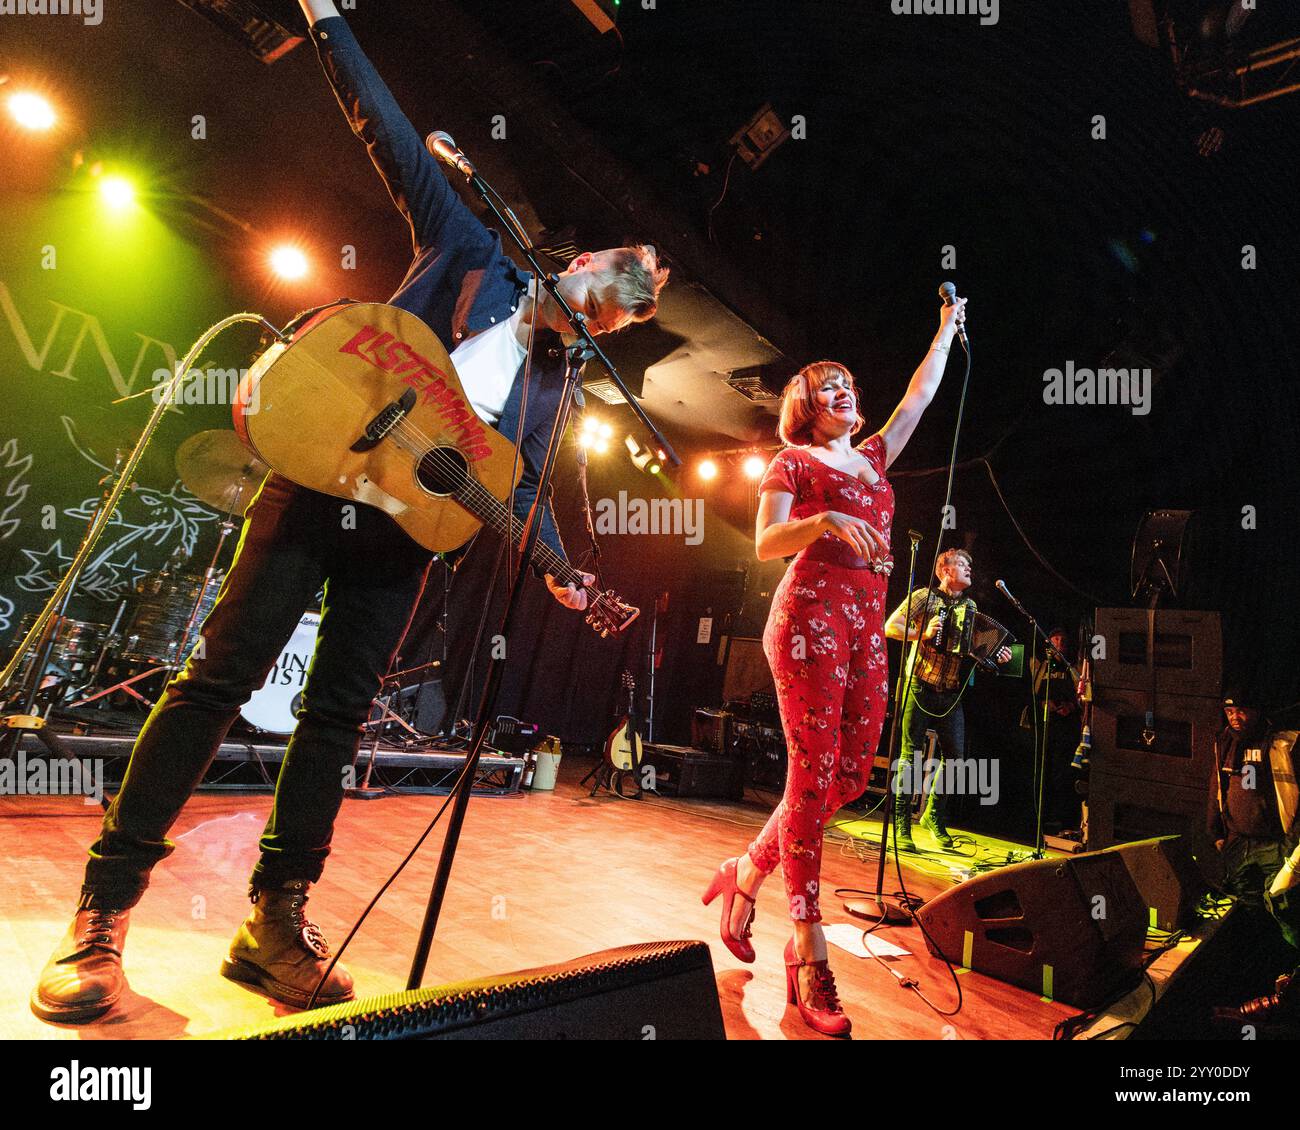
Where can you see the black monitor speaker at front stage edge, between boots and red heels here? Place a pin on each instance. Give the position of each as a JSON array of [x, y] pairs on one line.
[[656, 990]]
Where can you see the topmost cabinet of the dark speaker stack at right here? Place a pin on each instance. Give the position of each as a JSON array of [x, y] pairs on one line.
[[1188, 650]]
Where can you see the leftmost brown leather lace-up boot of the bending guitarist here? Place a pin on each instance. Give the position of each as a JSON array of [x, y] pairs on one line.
[[84, 977]]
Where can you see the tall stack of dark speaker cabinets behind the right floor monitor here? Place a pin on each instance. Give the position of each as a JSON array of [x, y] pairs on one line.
[[1158, 709]]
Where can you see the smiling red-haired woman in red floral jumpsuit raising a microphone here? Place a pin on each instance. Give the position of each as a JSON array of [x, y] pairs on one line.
[[829, 504]]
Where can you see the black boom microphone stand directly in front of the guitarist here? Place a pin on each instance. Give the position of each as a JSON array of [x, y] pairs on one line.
[[577, 357]]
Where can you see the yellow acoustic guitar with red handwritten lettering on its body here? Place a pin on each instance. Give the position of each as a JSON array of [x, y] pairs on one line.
[[366, 405]]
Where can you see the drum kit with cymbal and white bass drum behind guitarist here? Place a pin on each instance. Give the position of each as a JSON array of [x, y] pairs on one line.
[[157, 626]]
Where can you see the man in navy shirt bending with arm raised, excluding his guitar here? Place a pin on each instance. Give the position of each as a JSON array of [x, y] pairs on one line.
[[474, 298]]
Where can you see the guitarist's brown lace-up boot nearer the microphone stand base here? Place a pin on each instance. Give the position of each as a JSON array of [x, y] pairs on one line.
[[283, 953]]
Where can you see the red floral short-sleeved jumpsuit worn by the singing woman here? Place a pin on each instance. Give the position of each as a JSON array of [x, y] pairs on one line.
[[825, 642]]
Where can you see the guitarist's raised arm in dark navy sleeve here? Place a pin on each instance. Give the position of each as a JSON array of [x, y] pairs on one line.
[[411, 175]]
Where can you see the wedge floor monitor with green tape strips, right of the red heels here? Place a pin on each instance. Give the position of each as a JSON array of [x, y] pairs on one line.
[[1069, 929]]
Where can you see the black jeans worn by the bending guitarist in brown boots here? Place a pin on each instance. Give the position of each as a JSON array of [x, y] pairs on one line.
[[293, 543]]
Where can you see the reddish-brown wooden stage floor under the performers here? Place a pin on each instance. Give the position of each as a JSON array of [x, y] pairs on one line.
[[539, 878]]
